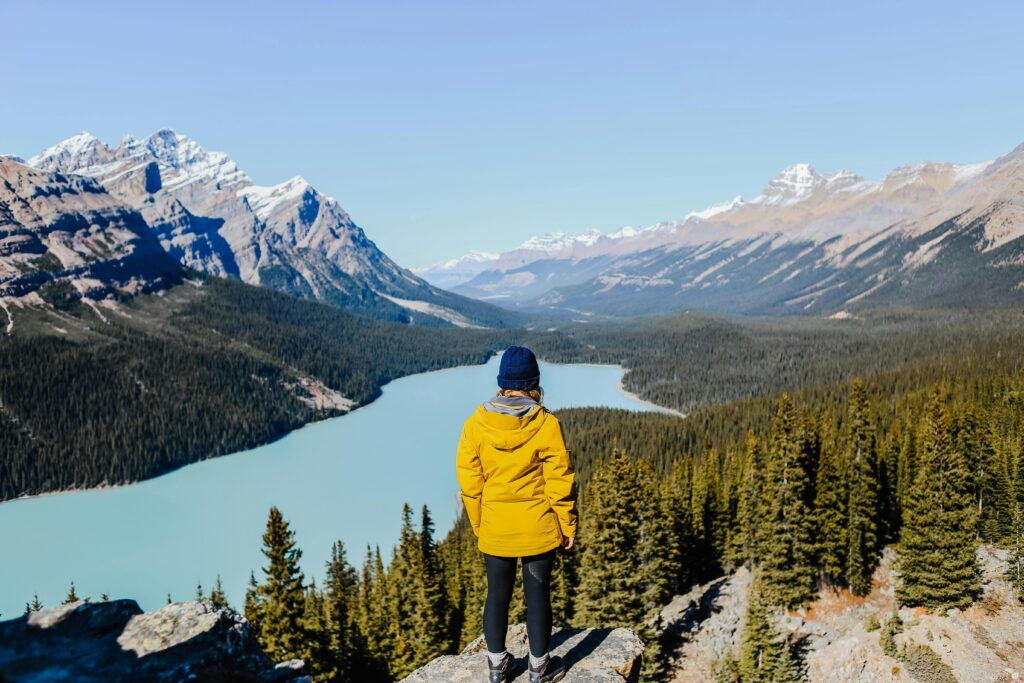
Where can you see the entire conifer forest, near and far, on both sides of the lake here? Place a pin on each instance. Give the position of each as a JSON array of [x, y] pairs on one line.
[[786, 463]]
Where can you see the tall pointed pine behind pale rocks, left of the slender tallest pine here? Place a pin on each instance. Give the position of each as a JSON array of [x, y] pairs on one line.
[[788, 570]]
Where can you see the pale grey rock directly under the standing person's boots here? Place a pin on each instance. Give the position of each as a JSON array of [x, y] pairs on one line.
[[592, 656]]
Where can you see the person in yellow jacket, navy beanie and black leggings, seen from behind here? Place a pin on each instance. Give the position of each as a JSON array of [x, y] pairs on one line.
[[520, 491]]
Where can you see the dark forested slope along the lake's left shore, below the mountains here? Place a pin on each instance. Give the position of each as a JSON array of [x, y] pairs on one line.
[[199, 372]]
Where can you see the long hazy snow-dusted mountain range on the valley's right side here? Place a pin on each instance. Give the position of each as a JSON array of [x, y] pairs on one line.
[[929, 234]]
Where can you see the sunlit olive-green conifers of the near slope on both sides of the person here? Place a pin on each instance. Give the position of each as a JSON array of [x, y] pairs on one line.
[[804, 489]]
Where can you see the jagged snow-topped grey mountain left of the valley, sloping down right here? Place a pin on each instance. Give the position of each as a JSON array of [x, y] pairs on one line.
[[212, 218]]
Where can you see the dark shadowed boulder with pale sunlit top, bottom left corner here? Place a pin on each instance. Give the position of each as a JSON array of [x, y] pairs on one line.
[[105, 643]]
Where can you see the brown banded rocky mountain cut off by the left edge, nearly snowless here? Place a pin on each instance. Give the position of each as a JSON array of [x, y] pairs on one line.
[[64, 237]]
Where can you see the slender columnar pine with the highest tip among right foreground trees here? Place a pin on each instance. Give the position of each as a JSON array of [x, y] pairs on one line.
[[862, 459]]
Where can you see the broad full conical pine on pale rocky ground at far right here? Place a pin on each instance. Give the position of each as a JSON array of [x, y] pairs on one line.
[[937, 564]]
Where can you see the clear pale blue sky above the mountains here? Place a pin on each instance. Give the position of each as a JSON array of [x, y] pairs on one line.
[[446, 126]]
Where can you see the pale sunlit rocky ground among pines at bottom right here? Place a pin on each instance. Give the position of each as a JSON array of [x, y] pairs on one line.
[[838, 635]]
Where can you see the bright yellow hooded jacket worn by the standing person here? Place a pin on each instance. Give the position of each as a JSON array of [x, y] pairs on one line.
[[518, 483]]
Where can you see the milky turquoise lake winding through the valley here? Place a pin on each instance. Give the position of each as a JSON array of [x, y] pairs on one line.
[[345, 479]]
